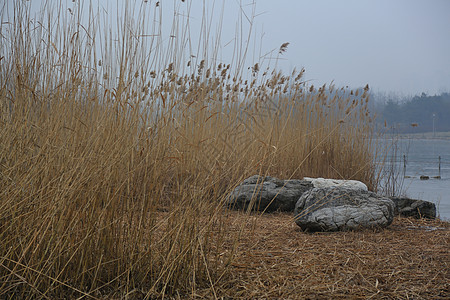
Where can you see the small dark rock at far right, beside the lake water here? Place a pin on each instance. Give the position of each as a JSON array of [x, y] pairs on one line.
[[414, 208]]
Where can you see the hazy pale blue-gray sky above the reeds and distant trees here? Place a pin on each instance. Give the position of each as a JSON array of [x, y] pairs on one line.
[[399, 46]]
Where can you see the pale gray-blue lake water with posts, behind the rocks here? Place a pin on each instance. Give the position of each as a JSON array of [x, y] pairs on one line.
[[422, 159]]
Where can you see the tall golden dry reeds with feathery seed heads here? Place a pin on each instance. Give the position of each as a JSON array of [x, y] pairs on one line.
[[116, 153]]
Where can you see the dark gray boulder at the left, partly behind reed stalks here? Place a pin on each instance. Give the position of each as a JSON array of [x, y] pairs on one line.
[[268, 193]]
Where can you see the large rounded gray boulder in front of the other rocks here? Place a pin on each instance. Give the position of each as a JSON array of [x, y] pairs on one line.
[[337, 208]]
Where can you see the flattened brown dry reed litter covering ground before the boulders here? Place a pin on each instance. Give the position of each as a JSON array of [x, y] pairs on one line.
[[276, 260]]
